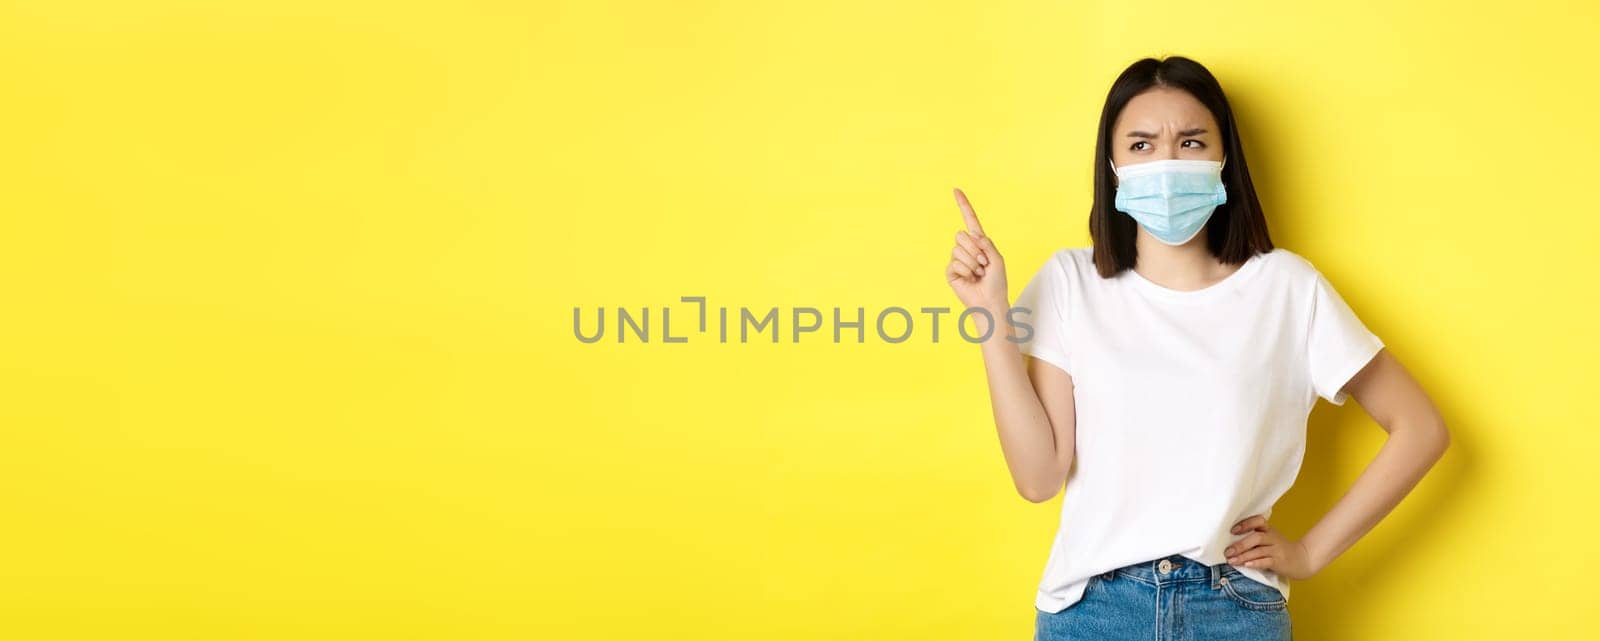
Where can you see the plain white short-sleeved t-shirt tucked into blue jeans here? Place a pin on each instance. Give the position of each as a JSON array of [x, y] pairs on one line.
[[1191, 405]]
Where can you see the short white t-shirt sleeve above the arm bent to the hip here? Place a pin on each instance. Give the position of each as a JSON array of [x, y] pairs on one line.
[[1338, 344]]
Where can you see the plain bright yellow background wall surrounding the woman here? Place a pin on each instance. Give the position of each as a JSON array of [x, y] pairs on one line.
[[289, 354]]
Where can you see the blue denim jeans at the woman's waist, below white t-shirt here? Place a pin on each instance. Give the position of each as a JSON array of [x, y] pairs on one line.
[[1170, 599]]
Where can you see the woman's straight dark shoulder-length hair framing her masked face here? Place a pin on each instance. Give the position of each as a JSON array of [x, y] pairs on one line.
[[1236, 231]]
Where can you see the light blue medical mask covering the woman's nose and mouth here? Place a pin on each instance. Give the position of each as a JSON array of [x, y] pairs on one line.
[[1170, 199]]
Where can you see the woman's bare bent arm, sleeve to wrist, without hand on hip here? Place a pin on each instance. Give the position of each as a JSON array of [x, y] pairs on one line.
[[1417, 440]]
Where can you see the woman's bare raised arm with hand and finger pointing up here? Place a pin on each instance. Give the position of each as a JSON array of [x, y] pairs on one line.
[[1031, 402]]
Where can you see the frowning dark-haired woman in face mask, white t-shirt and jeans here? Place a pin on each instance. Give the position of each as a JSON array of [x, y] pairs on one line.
[[1164, 376]]
